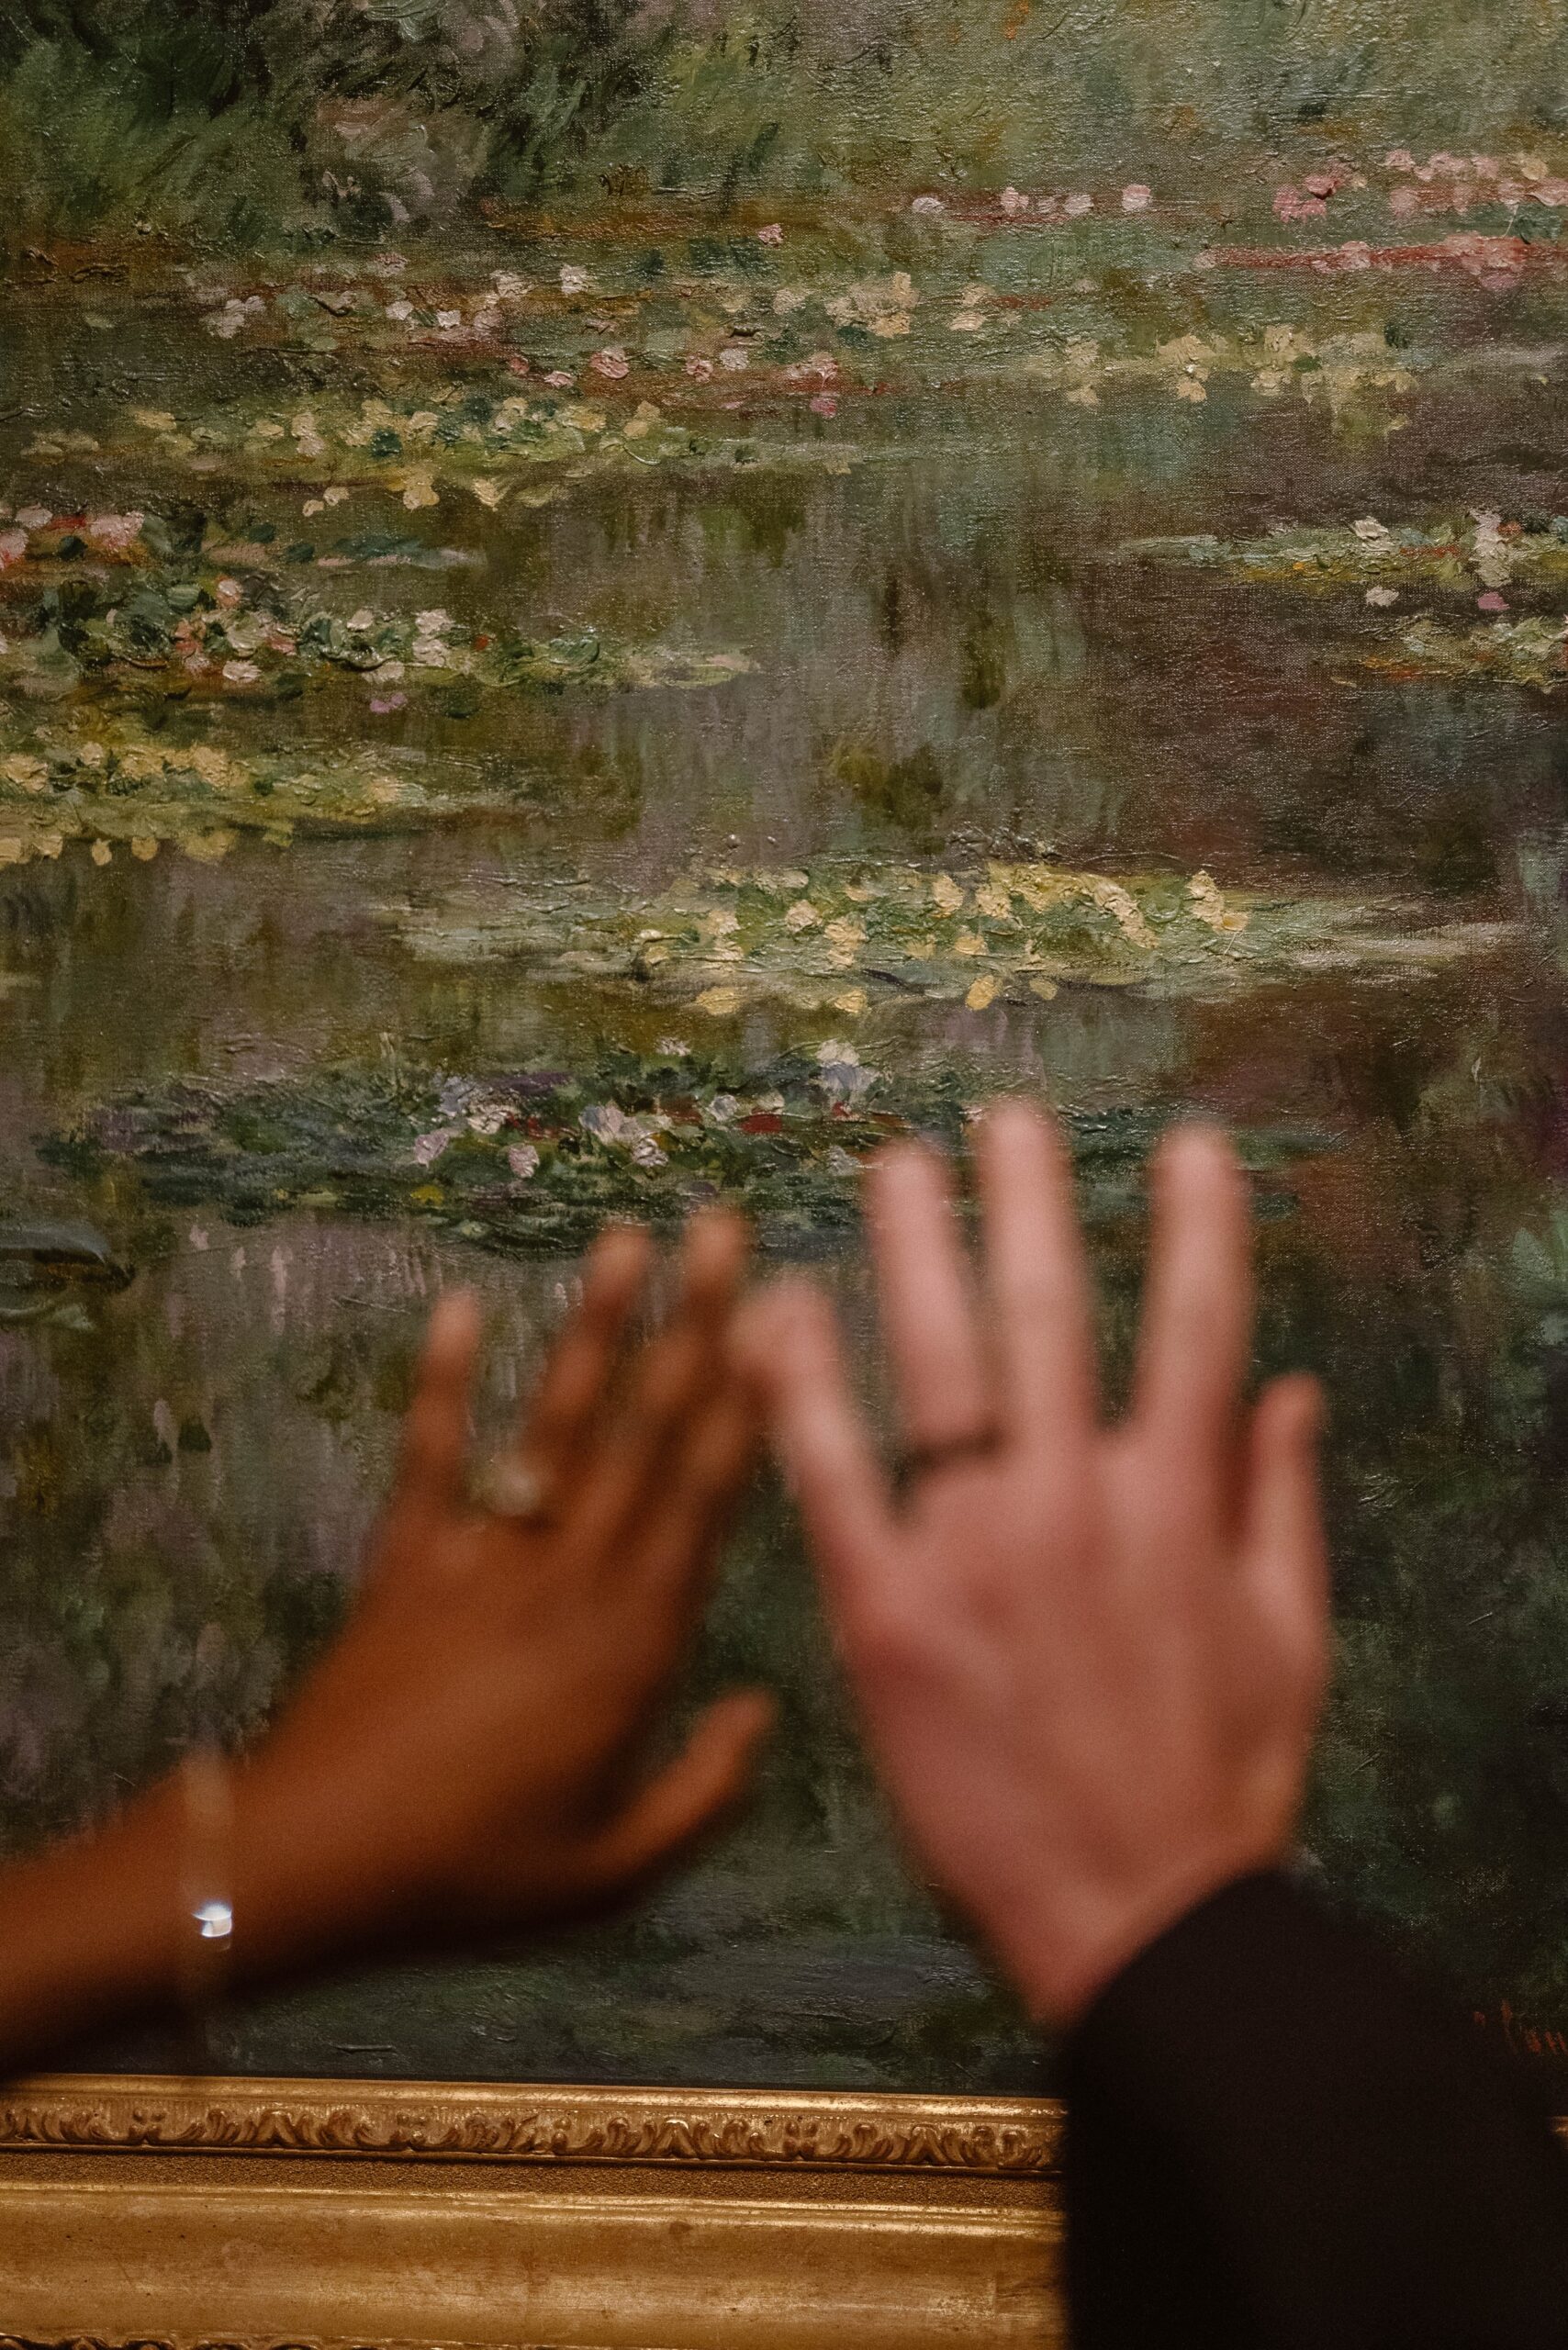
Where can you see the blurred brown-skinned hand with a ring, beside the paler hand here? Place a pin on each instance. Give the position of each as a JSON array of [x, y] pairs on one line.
[[471, 1754]]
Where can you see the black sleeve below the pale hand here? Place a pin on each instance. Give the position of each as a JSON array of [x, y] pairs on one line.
[[1278, 2142]]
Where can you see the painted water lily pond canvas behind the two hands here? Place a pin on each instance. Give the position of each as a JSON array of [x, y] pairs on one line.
[[605, 607]]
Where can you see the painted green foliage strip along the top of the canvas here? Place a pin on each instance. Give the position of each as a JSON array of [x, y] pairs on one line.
[[304, 121]]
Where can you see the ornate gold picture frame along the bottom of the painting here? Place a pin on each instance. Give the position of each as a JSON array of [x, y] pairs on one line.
[[373, 2215]]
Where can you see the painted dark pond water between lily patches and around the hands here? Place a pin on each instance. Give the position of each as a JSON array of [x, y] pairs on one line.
[[946, 666]]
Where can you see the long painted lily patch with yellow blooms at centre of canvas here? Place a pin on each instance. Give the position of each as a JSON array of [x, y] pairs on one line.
[[840, 939]]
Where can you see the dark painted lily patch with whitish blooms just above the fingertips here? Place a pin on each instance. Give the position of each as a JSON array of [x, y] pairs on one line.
[[540, 1160]]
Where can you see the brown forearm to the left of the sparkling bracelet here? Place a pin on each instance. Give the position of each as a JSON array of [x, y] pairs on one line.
[[91, 1931]]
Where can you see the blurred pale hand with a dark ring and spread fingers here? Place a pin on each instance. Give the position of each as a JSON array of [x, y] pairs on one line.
[[1090, 1658]]
